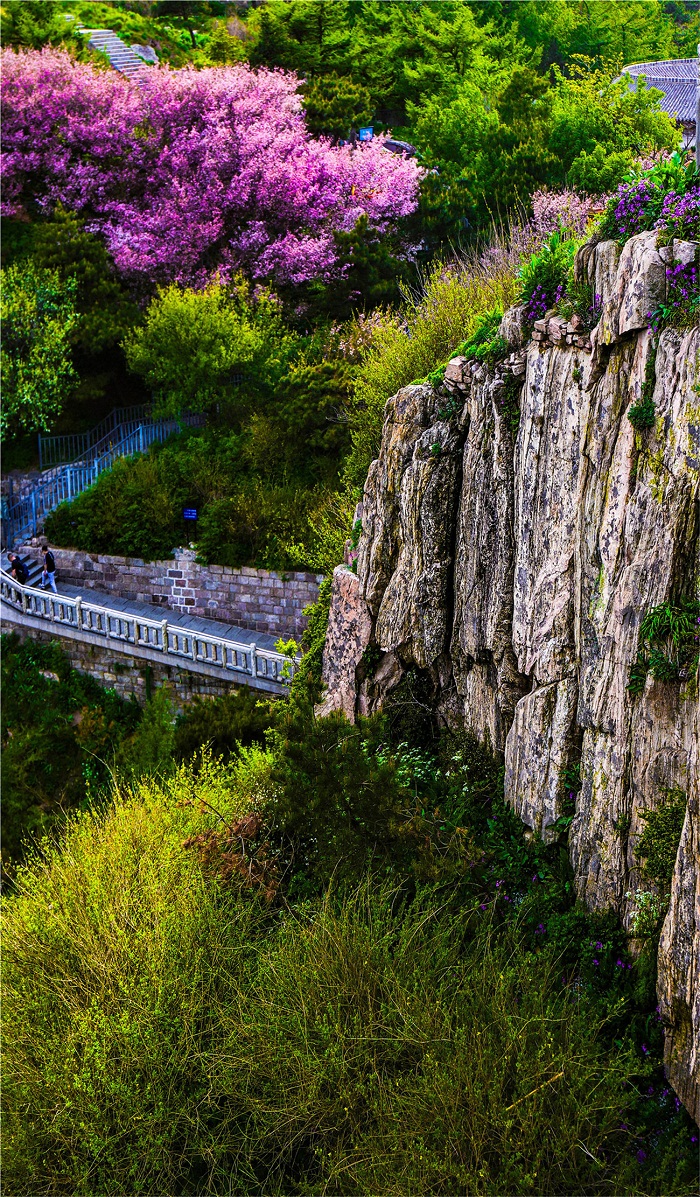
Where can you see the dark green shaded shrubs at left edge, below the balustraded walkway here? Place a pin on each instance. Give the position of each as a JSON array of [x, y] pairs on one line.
[[64, 738]]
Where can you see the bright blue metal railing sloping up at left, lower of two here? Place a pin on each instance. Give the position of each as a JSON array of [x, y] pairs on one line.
[[23, 515]]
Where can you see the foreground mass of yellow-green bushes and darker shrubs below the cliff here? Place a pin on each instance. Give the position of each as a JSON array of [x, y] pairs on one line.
[[198, 1001]]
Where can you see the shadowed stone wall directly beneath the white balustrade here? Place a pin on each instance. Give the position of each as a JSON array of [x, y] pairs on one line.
[[130, 676]]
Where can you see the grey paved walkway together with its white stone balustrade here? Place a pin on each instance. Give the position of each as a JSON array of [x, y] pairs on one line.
[[155, 635]]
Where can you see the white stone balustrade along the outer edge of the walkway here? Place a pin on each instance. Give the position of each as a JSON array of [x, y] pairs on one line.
[[180, 646]]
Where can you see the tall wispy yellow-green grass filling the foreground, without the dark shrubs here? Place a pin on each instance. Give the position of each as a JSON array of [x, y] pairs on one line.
[[167, 1034]]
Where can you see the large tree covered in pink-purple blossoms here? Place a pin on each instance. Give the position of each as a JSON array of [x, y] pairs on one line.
[[197, 173]]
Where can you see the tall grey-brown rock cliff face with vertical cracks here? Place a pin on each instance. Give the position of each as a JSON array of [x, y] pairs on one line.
[[512, 561]]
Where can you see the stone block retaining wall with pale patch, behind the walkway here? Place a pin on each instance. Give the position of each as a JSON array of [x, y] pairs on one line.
[[259, 600]]
